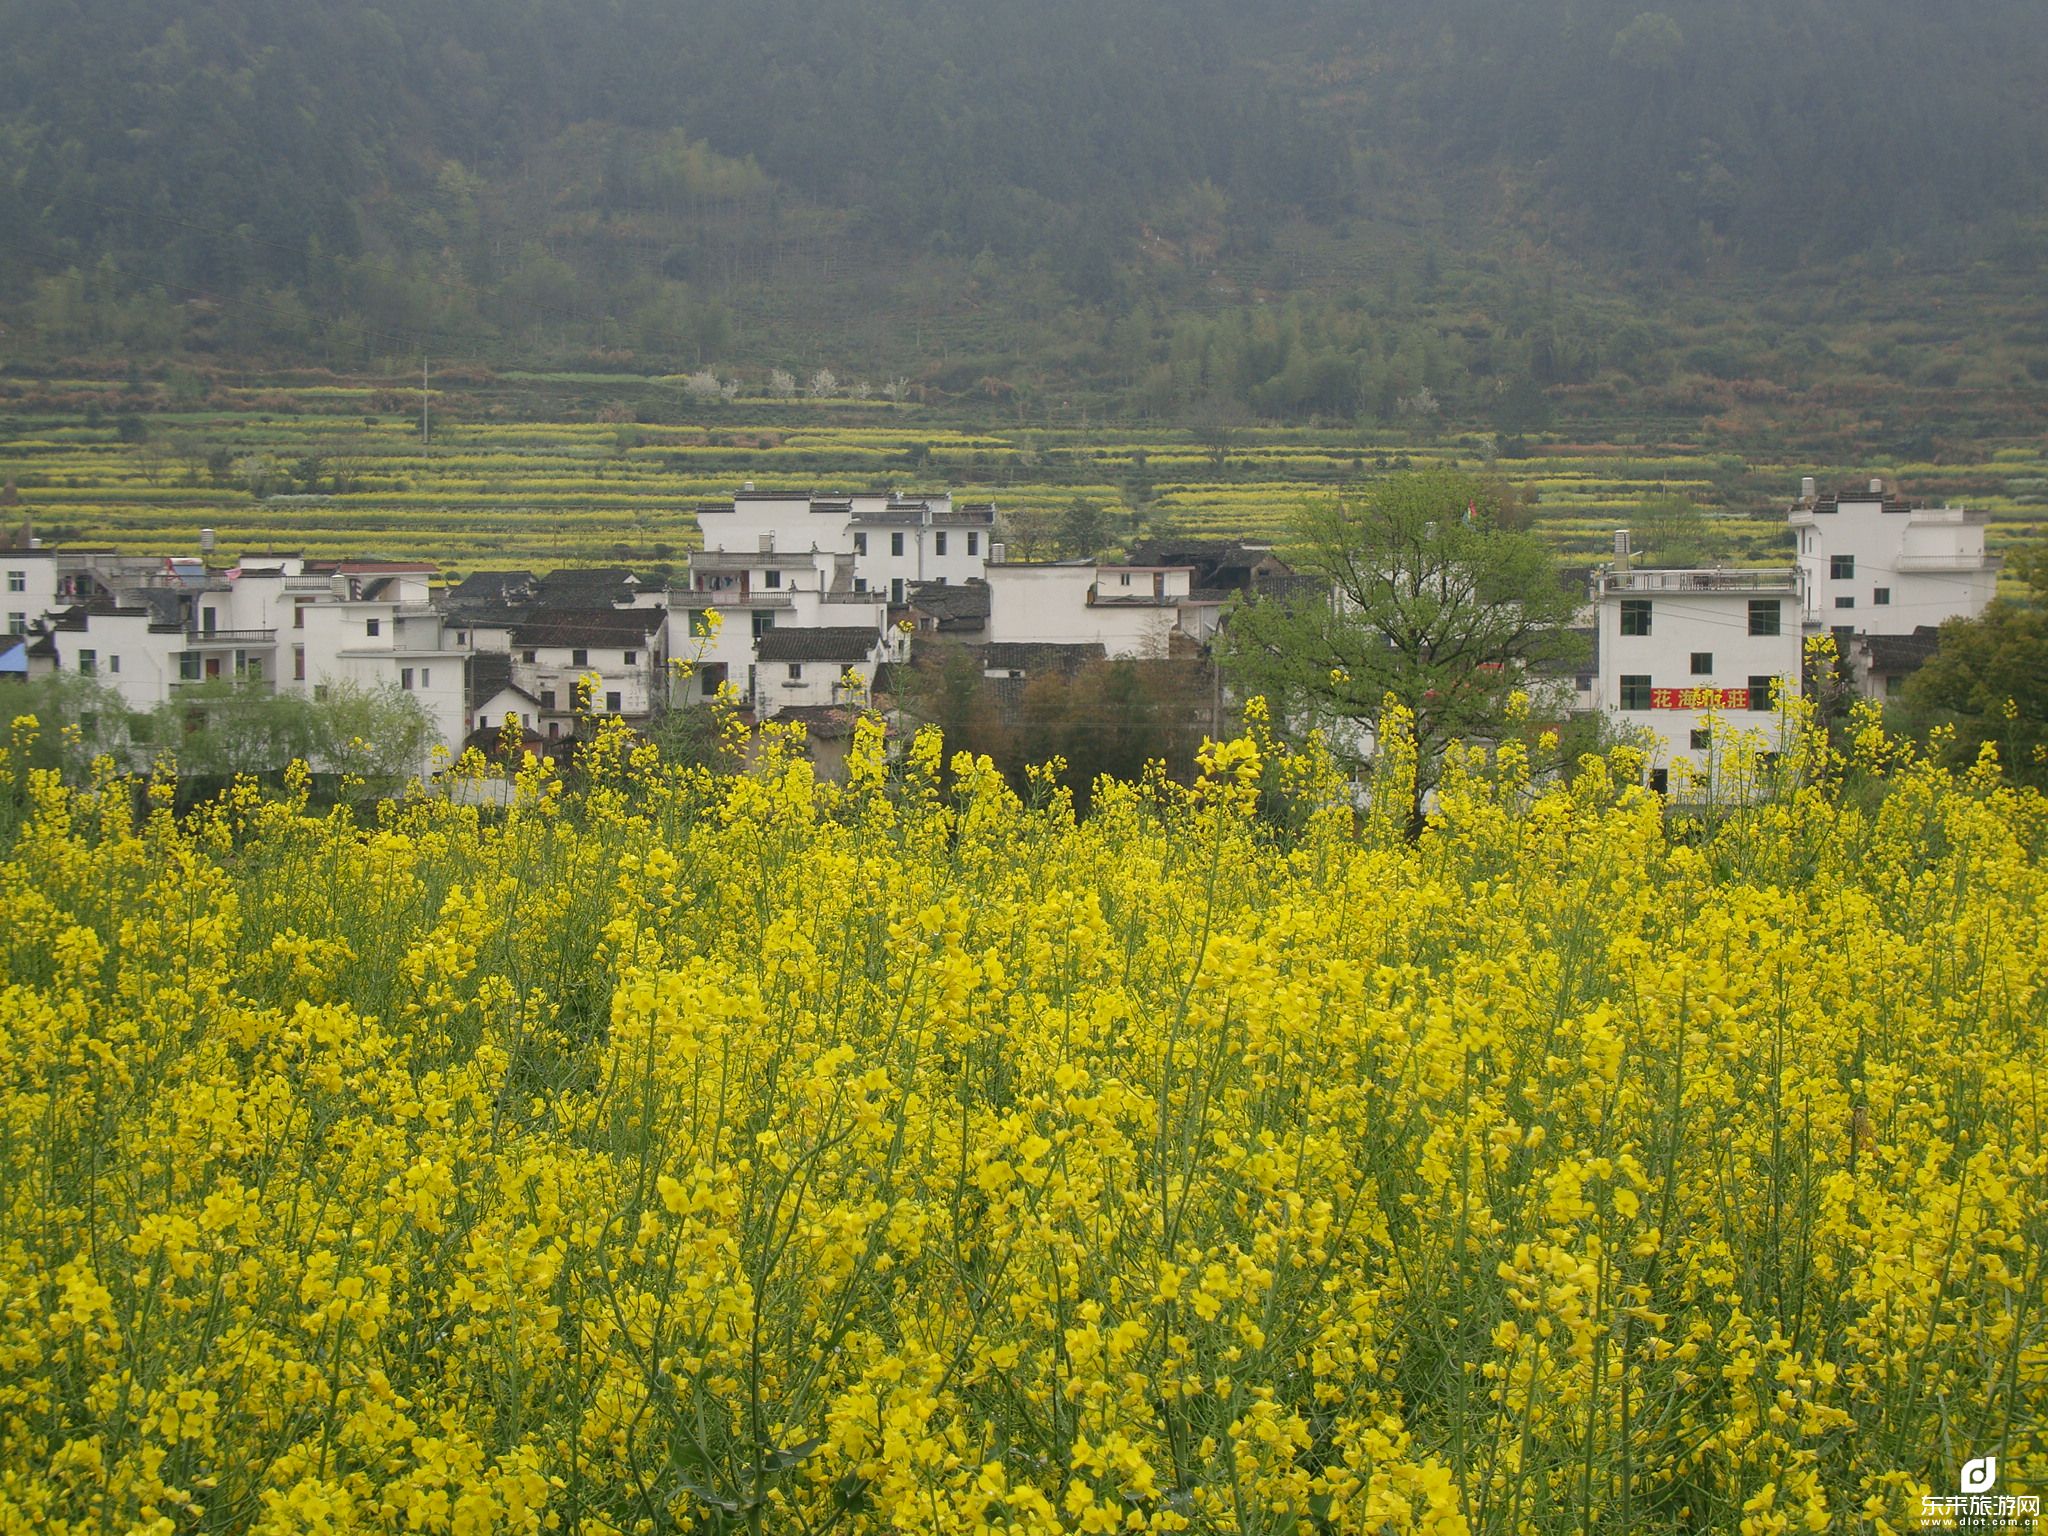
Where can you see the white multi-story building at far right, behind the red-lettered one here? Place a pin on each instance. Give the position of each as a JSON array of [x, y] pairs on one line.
[[1875, 564]]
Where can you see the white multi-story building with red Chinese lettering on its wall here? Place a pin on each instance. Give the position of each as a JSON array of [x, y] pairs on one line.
[[1682, 650]]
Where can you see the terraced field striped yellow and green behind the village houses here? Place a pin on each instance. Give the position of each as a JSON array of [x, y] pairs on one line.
[[323, 470]]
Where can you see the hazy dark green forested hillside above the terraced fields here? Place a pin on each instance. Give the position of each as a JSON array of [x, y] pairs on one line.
[[1179, 208]]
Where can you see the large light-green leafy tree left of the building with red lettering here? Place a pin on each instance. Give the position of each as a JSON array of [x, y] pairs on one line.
[[1424, 599]]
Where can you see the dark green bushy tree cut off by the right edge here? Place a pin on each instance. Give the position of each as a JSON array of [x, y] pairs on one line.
[[1990, 681]]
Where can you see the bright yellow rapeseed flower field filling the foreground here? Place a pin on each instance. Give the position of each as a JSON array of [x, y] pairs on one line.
[[751, 1154]]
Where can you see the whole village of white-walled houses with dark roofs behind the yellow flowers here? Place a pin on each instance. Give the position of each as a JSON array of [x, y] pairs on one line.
[[806, 605]]
